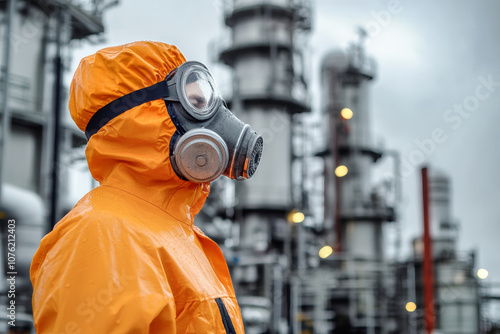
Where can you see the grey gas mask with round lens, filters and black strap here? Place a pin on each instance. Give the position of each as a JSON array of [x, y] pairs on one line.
[[210, 141]]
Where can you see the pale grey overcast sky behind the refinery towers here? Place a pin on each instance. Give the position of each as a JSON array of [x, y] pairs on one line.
[[437, 89]]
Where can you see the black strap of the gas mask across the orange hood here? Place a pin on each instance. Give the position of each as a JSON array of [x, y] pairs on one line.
[[124, 103]]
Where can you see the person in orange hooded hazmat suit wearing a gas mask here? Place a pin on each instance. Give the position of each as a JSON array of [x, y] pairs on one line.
[[127, 258]]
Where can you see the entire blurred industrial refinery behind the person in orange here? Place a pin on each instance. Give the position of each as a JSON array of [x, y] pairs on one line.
[[306, 239]]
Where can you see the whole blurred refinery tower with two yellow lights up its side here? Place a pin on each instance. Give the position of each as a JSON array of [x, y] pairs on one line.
[[354, 211]]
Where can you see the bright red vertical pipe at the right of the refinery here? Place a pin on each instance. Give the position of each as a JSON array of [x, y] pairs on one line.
[[428, 273]]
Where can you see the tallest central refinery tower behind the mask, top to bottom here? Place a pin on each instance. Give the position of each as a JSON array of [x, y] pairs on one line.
[[263, 56]]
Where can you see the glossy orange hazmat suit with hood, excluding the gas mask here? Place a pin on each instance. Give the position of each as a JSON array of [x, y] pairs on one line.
[[127, 258]]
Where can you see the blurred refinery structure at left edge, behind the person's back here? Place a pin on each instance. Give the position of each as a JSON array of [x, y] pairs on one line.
[[36, 145]]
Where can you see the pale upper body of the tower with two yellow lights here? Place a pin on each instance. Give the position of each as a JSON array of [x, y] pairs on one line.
[[353, 211]]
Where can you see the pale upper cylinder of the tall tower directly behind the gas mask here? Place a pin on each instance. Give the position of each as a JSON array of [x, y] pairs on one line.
[[261, 55]]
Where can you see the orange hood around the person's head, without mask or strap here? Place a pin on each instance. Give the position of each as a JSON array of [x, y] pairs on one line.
[[131, 152]]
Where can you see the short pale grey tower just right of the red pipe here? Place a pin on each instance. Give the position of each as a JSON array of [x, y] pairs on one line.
[[457, 289]]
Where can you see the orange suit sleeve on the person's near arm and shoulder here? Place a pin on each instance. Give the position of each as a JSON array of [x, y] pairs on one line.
[[100, 278]]
